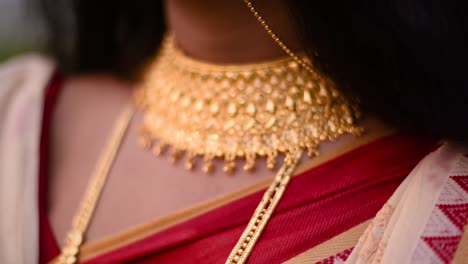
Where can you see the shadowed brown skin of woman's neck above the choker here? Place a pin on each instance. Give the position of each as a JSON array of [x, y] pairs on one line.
[[224, 32]]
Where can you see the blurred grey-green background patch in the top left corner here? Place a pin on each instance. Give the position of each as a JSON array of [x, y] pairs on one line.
[[20, 28]]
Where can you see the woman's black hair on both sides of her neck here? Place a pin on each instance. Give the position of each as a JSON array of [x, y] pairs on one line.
[[405, 60]]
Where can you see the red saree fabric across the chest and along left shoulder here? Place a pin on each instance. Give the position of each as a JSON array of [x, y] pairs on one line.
[[319, 204]]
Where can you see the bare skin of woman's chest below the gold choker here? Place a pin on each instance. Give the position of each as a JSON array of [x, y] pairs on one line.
[[139, 187]]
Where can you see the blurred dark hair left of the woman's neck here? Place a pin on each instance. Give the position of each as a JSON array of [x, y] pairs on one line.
[[116, 36]]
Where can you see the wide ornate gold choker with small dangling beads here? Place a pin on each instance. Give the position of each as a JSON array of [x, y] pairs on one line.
[[238, 111]]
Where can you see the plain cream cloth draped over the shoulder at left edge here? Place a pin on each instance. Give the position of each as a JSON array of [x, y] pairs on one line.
[[22, 84]]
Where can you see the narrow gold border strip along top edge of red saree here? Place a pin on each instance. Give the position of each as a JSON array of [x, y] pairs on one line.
[[126, 237]]
